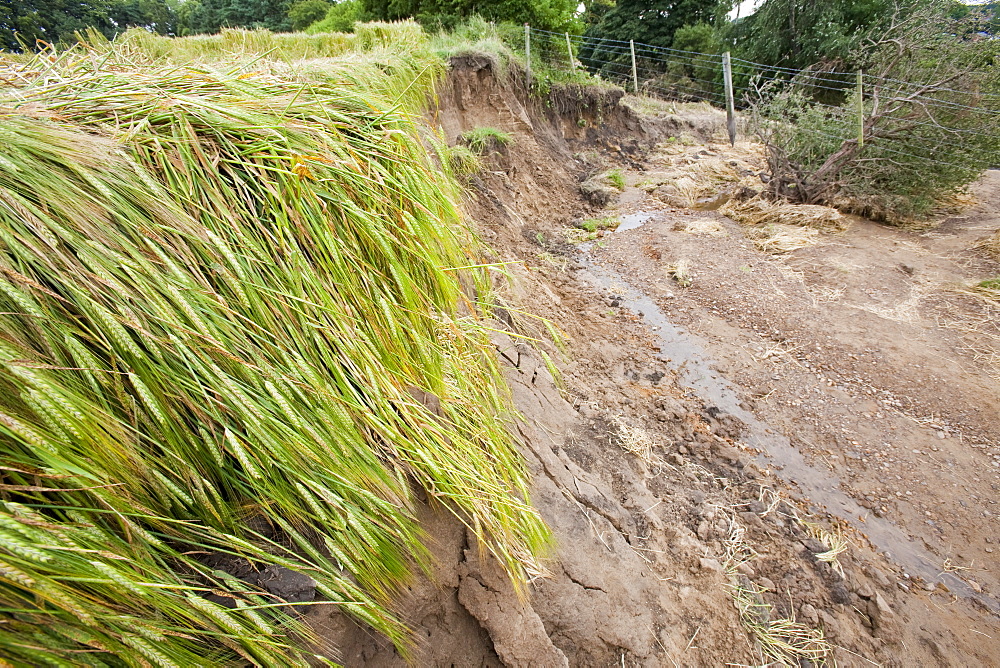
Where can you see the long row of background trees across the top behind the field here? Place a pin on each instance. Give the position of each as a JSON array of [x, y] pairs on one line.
[[784, 33]]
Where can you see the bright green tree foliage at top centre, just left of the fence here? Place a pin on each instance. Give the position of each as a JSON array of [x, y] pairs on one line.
[[554, 15]]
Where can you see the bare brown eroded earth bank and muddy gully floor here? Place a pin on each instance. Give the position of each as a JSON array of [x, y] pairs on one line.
[[856, 361]]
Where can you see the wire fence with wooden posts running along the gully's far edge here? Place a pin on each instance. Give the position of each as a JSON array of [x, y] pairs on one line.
[[926, 117]]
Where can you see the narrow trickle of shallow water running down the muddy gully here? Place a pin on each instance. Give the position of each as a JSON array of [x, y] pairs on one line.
[[685, 354]]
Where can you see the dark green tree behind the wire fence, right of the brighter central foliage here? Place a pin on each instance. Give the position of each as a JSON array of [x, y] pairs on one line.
[[645, 21]]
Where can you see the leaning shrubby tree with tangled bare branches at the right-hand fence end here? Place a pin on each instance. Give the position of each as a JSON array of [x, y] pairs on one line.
[[931, 121]]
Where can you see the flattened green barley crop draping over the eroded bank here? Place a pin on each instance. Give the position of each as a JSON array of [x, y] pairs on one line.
[[225, 300]]
